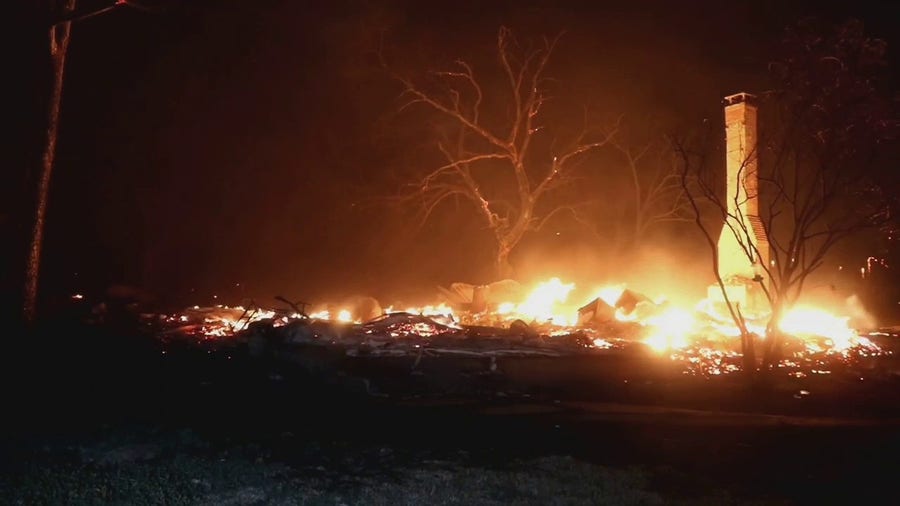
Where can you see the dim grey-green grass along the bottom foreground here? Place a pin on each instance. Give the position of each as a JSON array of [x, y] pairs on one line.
[[183, 469]]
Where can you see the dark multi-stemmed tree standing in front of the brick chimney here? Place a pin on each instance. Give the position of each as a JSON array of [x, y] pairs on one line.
[[824, 126]]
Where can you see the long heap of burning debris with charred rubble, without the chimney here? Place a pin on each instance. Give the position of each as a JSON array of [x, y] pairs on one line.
[[480, 321]]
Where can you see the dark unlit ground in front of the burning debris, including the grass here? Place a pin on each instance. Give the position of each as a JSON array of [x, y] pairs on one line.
[[101, 416]]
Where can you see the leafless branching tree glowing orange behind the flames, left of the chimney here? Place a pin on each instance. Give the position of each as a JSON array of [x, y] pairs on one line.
[[501, 152]]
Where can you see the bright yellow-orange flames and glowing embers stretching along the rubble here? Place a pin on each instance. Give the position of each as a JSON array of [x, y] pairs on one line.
[[704, 338]]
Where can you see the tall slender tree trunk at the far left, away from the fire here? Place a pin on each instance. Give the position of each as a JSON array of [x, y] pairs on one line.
[[59, 45]]
